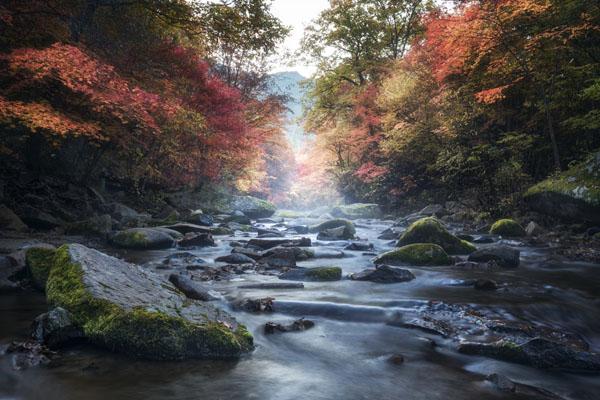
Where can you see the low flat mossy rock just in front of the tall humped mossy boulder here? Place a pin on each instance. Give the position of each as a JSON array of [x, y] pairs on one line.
[[419, 254]]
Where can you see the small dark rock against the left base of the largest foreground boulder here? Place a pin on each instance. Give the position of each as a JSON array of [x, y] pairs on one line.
[[55, 328]]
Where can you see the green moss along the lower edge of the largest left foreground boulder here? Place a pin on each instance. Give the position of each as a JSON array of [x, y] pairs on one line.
[[138, 332]]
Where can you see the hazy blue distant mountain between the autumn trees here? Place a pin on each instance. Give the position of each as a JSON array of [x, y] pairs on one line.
[[288, 83]]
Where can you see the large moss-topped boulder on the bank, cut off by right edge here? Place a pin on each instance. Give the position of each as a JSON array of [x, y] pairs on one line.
[[573, 194]]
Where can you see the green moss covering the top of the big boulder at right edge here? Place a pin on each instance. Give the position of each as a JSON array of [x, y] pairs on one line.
[[581, 181]]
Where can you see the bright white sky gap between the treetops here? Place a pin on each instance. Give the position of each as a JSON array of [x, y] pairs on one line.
[[296, 14]]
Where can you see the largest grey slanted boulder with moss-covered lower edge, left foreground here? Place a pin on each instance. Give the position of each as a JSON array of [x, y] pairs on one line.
[[126, 309]]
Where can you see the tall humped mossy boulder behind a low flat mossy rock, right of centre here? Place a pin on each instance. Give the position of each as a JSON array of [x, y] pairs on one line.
[[431, 230]]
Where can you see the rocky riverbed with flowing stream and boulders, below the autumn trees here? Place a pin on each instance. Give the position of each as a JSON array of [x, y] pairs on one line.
[[336, 308]]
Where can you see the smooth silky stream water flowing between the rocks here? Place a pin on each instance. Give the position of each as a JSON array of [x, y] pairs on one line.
[[345, 356]]
